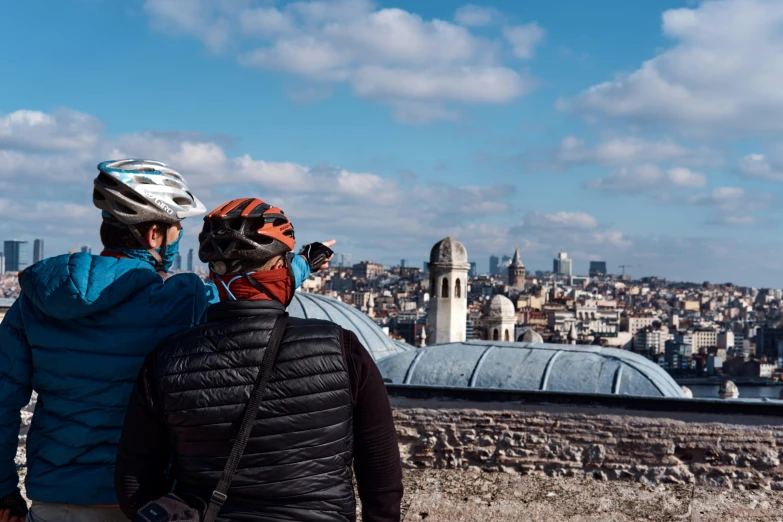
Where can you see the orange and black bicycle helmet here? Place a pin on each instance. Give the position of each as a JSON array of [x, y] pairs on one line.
[[243, 233]]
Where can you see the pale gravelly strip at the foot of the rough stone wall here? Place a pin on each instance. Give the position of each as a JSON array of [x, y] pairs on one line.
[[457, 496]]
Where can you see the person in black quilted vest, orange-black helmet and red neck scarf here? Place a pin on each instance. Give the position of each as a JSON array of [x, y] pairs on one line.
[[324, 414]]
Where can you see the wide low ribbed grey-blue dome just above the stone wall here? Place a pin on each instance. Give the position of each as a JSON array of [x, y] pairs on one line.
[[531, 367]]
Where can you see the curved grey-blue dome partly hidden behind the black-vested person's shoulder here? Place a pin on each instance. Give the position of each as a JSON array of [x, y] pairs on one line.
[[316, 306]]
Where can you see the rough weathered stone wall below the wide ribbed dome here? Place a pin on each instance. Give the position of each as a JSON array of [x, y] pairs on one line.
[[606, 444]]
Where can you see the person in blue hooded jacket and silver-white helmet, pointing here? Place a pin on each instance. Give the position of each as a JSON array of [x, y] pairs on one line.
[[78, 336]]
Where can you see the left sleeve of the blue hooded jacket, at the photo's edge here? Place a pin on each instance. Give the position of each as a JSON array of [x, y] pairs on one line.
[[15, 391]]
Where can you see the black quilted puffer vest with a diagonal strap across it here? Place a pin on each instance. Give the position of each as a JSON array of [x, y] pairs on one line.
[[297, 464]]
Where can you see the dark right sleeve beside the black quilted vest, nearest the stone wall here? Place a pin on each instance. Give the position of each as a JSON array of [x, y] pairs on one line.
[[376, 452]]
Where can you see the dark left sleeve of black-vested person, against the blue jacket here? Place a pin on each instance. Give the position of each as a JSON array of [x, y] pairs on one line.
[[143, 452]]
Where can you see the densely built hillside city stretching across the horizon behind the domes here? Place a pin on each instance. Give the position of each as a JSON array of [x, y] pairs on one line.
[[700, 333]]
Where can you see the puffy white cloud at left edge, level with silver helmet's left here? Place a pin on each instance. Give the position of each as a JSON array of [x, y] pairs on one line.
[[37, 131]]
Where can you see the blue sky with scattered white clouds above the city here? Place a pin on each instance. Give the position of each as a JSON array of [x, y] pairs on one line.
[[647, 134]]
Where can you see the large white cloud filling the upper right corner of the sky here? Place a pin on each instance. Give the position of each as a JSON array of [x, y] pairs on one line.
[[721, 76]]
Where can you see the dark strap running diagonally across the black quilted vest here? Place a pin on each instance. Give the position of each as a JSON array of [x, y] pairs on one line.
[[219, 495]]
